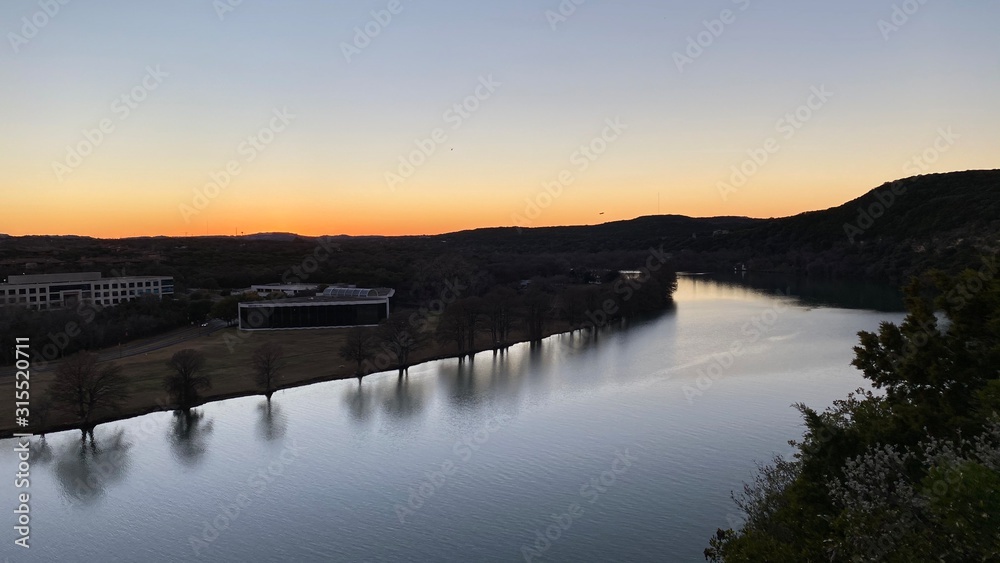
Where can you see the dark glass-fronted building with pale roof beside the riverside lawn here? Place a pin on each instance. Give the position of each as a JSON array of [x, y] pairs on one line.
[[337, 307]]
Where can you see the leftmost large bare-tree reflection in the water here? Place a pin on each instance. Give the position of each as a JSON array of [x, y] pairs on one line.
[[85, 469]]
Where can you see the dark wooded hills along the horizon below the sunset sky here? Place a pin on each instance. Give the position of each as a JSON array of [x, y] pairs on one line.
[[897, 229]]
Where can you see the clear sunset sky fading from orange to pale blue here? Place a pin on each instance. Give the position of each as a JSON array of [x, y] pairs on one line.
[[195, 117]]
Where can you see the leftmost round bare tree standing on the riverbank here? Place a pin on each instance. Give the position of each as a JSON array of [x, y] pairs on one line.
[[84, 389]]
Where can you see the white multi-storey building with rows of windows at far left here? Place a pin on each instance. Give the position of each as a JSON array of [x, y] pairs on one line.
[[60, 291]]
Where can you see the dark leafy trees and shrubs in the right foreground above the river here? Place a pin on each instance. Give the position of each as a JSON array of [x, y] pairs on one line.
[[908, 473]]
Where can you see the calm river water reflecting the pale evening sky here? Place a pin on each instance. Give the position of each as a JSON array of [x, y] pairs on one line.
[[624, 449]]
